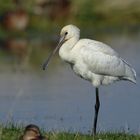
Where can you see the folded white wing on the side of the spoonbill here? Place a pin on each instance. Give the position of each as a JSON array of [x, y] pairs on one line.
[[101, 59]]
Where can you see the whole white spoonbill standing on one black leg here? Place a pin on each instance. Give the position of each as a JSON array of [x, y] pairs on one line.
[[93, 61]]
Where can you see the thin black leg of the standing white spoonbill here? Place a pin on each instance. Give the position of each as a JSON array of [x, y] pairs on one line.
[[97, 106]]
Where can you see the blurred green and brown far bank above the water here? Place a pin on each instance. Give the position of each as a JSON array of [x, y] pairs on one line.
[[29, 29]]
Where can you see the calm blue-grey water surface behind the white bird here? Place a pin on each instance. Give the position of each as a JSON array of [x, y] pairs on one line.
[[57, 99]]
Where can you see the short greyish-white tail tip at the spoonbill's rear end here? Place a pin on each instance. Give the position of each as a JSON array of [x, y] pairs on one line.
[[130, 73]]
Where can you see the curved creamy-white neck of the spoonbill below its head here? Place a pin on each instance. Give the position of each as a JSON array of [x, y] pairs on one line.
[[65, 51]]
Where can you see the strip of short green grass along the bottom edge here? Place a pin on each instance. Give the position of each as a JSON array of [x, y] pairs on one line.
[[12, 132]]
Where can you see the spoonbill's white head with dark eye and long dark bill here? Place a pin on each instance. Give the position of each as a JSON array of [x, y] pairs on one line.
[[66, 34]]
